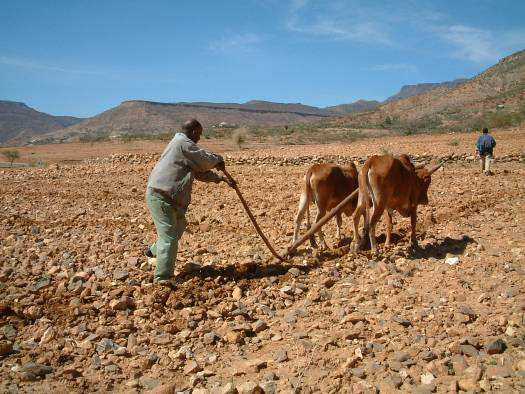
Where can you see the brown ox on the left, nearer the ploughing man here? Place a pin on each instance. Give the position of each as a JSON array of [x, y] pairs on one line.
[[327, 185]]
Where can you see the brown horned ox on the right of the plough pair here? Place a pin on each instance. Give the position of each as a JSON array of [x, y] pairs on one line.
[[392, 184]]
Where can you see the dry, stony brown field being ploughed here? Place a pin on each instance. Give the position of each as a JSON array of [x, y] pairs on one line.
[[78, 311]]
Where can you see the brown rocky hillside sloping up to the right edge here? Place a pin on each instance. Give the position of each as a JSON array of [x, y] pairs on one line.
[[493, 98]]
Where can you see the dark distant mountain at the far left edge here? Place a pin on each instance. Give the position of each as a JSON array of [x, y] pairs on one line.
[[19, 123]]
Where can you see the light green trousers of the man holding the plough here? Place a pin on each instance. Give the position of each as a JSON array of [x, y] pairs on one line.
[[170, 224]]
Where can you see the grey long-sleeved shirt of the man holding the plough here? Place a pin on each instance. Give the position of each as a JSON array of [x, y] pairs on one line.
[[179, 164]]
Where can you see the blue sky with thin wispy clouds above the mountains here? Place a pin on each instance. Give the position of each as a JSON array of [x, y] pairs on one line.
[[80, 57]]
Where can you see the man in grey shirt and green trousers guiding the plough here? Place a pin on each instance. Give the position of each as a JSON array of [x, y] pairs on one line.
[[168, 194]]
